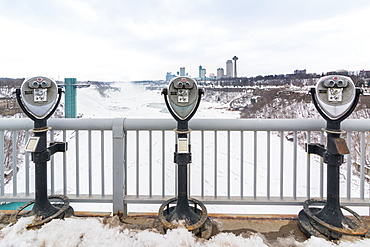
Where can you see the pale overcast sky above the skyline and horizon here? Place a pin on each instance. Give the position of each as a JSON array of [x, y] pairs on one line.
[[120, 40]]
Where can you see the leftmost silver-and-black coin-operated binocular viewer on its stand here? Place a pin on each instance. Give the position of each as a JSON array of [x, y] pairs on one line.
[[39, 97]]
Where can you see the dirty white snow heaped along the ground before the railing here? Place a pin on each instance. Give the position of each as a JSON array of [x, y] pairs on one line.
[[72, 232]]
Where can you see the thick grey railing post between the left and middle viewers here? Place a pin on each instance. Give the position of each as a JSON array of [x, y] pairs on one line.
[[118, 163]]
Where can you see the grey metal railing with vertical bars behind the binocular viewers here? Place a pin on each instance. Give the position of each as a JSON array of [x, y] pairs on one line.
[[234, 161]]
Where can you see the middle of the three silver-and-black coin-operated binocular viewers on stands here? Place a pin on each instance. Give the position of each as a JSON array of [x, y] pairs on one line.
[[182, 98]]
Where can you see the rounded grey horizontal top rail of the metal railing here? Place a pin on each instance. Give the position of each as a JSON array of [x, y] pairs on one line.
[[194, 124]]
